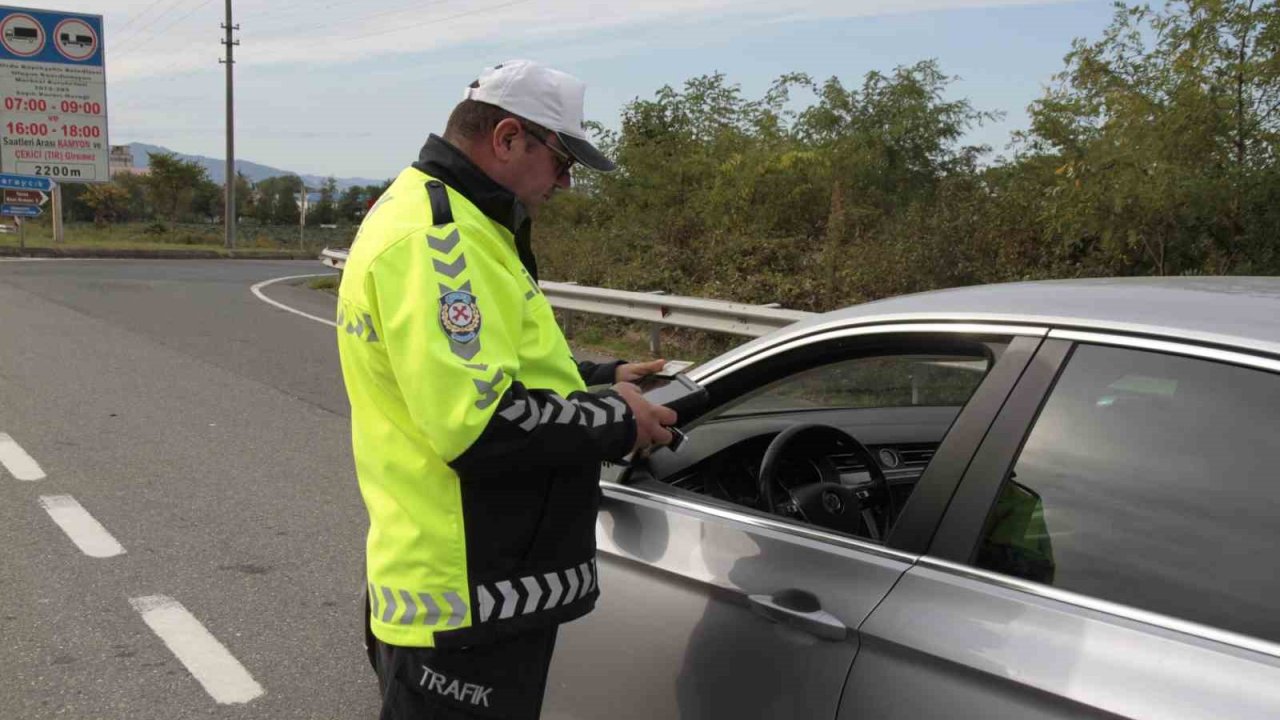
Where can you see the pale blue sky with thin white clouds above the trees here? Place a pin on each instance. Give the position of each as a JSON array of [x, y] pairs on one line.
[[353, 88]]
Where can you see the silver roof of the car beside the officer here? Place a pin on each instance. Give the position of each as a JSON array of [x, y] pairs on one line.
[[1233, 312]]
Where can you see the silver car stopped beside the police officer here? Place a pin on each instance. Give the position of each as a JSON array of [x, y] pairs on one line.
[[1035, 500]]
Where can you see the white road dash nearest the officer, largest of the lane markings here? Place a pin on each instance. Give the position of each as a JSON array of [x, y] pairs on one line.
[[222, 676]]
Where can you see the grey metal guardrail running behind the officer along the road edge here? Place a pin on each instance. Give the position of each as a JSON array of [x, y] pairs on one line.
[[657, 309]]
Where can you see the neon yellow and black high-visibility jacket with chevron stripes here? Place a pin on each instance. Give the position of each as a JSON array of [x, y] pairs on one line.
[[477, 445]]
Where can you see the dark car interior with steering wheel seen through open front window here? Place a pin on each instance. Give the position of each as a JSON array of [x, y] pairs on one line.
[[834, 435]]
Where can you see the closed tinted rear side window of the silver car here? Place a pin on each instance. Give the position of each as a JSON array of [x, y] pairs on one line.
[[1150, 480]]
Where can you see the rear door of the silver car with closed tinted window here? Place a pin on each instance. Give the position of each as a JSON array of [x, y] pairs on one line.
[[1110, 550]]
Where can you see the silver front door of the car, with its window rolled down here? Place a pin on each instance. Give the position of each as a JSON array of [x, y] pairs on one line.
[[711, 612]]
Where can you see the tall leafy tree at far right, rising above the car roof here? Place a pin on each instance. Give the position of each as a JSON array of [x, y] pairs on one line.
[[1167, 131]]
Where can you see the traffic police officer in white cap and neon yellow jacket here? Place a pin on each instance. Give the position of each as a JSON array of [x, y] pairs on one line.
[[477, 444]]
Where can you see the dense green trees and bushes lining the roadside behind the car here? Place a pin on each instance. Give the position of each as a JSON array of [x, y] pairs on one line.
[[1153, 153]]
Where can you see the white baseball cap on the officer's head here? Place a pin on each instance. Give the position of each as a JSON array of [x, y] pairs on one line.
[[546, 97]]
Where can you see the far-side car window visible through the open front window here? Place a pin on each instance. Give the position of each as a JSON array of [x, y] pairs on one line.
[[899, 381]]
